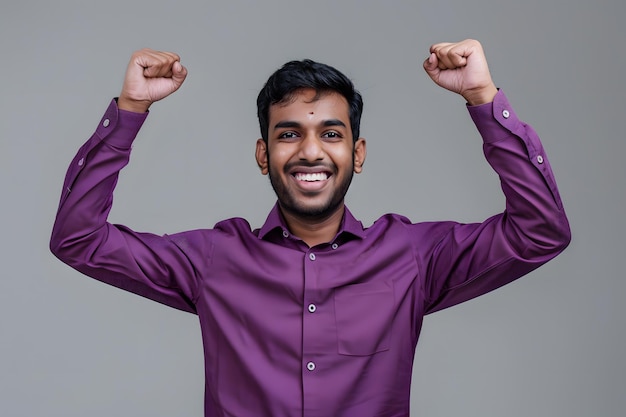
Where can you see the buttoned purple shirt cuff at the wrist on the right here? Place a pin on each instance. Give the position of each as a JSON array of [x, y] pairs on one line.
[[496, 120]]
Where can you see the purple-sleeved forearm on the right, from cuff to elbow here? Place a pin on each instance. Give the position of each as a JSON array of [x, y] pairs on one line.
[[534, 221]]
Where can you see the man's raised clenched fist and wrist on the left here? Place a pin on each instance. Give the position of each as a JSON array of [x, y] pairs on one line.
[[150, 76]]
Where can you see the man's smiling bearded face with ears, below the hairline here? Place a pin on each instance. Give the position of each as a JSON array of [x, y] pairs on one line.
[[310, 155]]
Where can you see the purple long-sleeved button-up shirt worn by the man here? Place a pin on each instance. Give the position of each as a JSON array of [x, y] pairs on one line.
[[330, 330]]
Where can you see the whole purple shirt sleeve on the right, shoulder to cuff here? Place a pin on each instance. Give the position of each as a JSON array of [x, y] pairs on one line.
[[468, 260]]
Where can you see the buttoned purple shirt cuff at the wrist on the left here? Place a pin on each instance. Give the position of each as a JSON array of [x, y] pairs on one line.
[[119, 128]]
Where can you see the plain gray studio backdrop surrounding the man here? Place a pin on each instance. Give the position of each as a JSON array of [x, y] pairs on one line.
[[551, 344]]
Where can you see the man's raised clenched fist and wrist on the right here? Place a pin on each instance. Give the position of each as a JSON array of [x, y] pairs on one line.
[[462, 68]]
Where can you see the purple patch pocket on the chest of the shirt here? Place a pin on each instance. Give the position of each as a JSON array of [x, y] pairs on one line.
[[364, 315]]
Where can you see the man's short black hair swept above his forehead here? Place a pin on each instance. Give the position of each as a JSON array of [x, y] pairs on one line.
[[296, 75]]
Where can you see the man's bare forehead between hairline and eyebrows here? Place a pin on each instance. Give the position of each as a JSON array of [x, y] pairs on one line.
[[308, 104]]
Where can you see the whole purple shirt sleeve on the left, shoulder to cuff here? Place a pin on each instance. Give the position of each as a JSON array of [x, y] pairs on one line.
[[149, 265]]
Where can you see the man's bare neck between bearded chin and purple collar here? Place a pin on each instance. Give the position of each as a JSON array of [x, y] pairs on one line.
[[314, 230]]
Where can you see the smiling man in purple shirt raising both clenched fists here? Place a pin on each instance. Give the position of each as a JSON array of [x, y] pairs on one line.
[[313, 314]]
